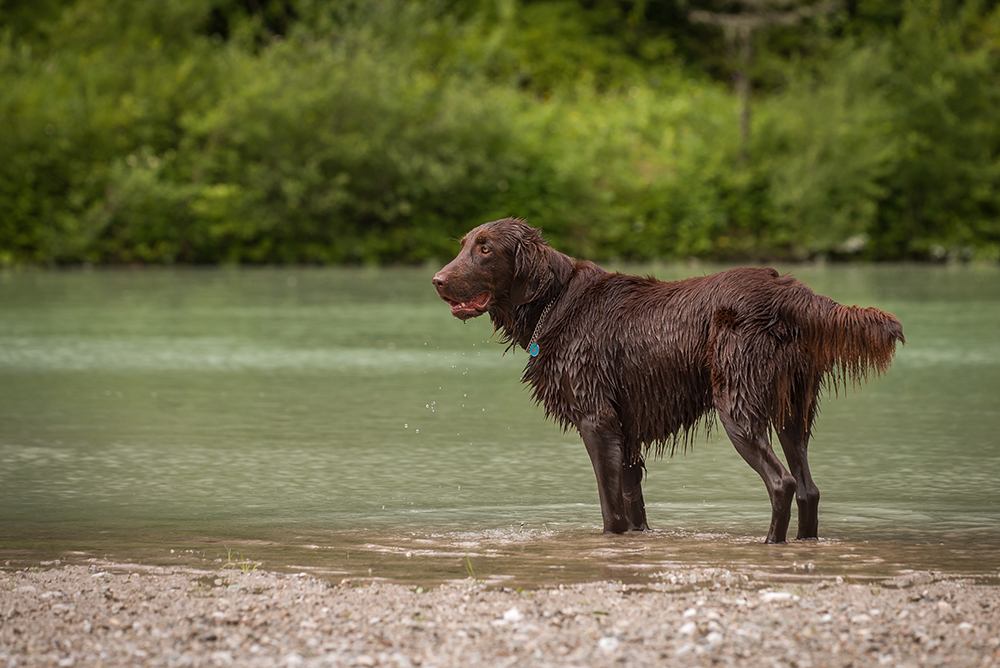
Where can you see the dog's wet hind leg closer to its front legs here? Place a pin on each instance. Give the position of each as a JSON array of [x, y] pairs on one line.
[[753, 446]]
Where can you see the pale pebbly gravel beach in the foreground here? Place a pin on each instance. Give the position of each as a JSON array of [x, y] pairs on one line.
[[105, 614]]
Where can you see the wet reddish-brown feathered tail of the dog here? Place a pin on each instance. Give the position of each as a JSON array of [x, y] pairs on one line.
[[850, 344]]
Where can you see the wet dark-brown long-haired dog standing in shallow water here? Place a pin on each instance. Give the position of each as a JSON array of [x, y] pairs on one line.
[[635, 363]]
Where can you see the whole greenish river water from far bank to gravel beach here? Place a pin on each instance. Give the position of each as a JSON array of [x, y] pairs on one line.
[[341, 421]]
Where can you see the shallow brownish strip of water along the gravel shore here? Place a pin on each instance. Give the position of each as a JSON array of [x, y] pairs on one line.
[[531, 557]]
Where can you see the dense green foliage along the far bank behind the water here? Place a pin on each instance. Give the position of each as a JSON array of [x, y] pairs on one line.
[[205, 131]]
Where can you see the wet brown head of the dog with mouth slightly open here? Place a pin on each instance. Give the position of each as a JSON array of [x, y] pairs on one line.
[[503, 264]]
